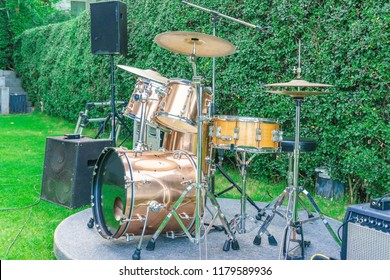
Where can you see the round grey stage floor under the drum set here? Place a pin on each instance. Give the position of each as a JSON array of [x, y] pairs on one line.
[[74, 240]]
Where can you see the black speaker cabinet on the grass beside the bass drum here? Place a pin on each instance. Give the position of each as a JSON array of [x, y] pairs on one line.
[[68, 169]]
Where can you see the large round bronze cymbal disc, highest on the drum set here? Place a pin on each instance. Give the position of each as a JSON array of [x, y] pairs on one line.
[[184, 42]]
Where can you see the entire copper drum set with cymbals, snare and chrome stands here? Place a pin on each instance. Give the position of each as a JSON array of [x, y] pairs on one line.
[[142, 192]]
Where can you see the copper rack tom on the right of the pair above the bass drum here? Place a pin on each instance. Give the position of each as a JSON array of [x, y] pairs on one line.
[[178, 108]]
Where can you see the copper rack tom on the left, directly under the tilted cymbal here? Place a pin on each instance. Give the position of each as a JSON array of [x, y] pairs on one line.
[[151, 92]]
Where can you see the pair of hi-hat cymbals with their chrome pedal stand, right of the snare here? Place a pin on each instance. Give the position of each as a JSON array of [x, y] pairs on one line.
[[292, 192]]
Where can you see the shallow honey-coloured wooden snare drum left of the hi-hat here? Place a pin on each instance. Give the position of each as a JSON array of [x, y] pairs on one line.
[[246, 134]]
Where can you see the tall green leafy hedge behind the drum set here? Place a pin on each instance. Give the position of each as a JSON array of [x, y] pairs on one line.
[[344, 43]]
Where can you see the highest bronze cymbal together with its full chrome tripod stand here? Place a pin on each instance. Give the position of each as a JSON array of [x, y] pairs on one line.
[[194, 45]]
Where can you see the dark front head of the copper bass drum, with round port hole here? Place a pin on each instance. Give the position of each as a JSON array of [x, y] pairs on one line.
[[109, 194]]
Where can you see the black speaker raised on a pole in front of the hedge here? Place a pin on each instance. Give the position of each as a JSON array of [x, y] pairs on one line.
[[108, 28]]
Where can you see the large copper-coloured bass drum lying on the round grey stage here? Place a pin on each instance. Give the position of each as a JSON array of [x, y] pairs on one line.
[[125, 183]]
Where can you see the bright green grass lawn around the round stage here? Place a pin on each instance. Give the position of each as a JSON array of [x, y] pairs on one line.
[[27, 224]]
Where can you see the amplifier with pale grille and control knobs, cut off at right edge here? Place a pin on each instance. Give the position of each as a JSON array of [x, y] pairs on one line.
[[366, 233]]
